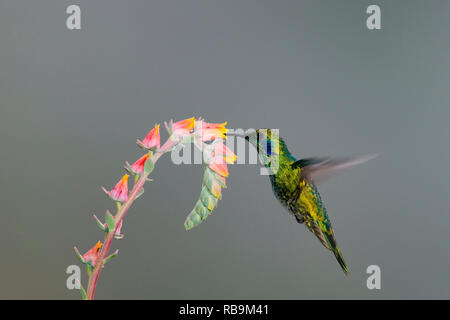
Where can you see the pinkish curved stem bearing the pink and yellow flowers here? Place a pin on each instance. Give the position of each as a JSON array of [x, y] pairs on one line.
[[93, 279]]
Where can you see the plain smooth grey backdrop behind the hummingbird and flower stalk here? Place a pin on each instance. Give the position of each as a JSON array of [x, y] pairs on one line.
[[73, 103]]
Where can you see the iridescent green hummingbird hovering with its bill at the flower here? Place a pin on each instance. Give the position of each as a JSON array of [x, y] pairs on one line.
[[294, 183]]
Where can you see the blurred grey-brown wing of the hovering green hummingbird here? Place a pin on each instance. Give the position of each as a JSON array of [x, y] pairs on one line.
[[318, 169]]
